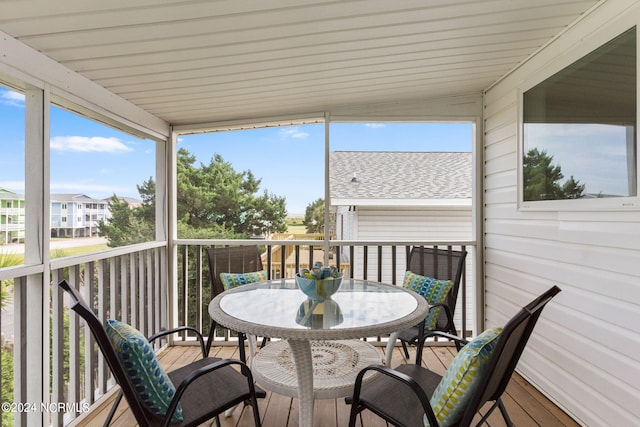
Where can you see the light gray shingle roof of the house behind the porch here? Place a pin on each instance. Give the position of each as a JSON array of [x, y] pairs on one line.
[[400, 175]]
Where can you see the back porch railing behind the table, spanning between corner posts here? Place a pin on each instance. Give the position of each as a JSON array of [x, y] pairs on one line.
[[380, 261]]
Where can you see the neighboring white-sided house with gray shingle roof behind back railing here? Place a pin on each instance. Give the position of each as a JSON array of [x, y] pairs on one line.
[[410, 196]]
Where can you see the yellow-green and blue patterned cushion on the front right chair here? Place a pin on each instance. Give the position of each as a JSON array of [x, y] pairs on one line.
[[453, 393]]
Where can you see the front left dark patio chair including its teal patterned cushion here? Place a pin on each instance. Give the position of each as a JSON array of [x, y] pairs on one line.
[[187, 396]]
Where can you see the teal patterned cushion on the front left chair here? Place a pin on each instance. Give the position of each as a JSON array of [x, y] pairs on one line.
[[149, 380]]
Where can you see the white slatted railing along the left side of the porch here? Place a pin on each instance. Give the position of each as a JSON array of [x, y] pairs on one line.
[[129, 284]]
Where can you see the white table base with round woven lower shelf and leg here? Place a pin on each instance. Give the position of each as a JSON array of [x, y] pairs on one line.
[[312, 370]]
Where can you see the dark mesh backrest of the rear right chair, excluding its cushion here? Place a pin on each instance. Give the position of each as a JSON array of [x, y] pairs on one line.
[[442, 264]]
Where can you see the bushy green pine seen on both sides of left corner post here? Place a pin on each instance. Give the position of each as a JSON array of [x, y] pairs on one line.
[[214, 201]]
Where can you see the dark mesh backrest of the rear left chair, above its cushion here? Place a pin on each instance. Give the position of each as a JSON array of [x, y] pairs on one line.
[[231, 259]]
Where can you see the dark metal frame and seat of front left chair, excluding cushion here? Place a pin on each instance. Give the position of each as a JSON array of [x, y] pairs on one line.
[[204, 388]]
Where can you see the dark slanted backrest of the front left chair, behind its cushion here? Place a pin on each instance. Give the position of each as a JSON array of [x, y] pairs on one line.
[[97, 329]]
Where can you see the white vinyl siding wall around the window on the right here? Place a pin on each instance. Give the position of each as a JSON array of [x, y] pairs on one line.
[[584, 353]]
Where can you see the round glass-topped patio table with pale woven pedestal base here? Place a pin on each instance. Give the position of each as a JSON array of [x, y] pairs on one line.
[[278, 309]]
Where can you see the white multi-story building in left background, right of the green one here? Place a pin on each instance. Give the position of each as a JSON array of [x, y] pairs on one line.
[[76, 215]]
